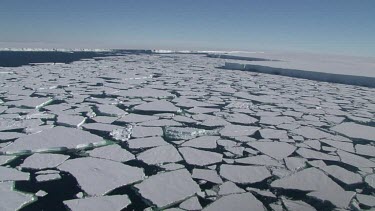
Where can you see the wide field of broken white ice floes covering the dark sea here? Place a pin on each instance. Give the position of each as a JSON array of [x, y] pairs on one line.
[[293, 143]]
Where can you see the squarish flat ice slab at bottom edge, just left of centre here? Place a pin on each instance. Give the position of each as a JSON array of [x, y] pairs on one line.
[[180, 187]]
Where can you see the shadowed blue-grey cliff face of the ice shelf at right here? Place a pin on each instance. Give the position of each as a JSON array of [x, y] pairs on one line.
[[317, 76]]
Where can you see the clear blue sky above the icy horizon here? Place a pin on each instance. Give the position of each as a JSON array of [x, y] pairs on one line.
[[329, 26]]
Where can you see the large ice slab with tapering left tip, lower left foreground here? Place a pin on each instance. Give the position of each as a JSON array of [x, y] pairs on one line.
[[98, 176]]
